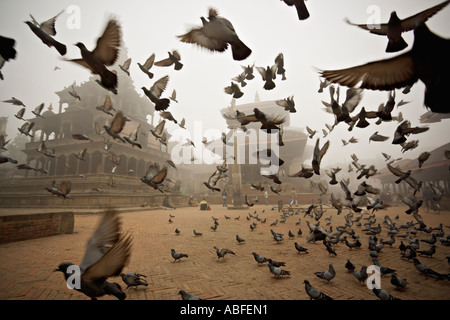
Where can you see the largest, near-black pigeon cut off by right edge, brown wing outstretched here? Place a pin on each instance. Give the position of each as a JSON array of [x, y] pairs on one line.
[[426, 61]]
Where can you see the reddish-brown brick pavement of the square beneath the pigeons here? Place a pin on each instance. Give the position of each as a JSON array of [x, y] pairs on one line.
[[26, 266]]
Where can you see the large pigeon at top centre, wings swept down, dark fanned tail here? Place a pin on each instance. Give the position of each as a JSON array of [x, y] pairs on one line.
[[215, 35]]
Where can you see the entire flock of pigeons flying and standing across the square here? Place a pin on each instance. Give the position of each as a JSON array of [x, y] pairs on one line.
[[109, 249]]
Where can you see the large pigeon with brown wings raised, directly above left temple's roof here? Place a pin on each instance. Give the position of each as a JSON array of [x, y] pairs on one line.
[[104, 55]]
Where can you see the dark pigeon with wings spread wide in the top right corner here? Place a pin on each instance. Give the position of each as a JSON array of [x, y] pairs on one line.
[[394, 28]]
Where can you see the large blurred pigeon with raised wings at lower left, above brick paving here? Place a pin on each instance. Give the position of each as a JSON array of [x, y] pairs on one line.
[[107, 253]]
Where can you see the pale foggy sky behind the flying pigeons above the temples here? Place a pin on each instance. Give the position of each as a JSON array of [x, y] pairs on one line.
[[268, 27]]
